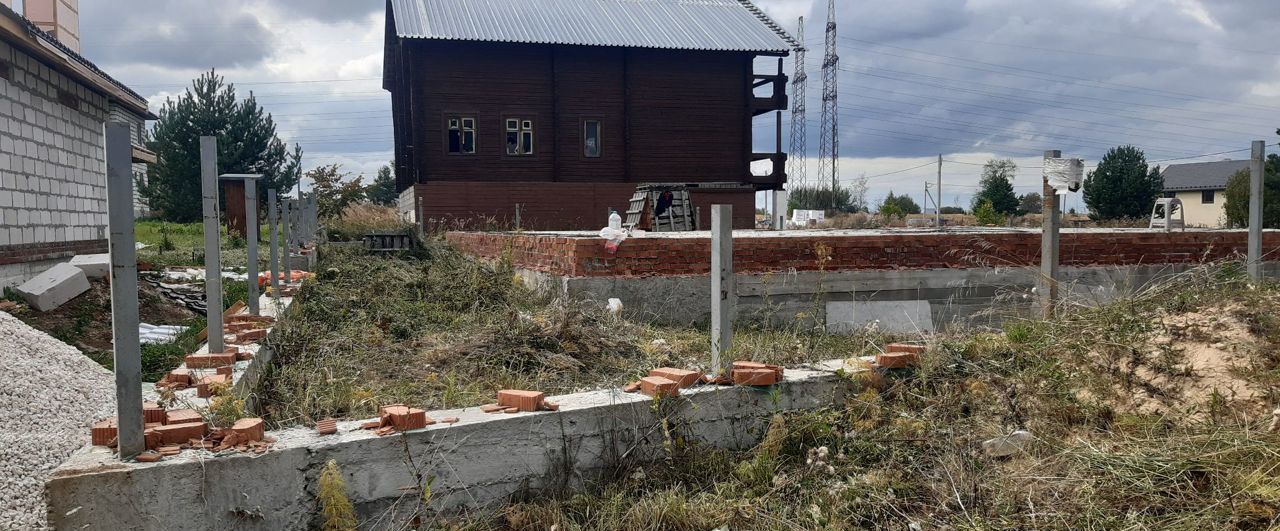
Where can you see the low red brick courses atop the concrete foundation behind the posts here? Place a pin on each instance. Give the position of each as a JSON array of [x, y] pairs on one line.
[[582, 257]]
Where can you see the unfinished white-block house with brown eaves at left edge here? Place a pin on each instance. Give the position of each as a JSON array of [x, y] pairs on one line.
[[54, 106]]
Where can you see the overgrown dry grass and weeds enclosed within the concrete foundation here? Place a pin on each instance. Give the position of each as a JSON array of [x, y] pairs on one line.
[[440, 331]]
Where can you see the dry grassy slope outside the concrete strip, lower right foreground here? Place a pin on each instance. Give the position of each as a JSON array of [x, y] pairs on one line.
[[907, 452]]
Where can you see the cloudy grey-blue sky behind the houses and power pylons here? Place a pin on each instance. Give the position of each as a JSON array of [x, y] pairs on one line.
[[971, 80]]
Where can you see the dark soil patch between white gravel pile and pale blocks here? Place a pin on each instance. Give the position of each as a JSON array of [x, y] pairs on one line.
[[85, 323]]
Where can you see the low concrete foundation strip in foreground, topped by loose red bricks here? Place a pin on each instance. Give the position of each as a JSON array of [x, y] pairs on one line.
[[483, 461]]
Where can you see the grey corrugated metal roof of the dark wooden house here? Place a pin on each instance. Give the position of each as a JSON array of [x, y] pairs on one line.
[[684, 25]]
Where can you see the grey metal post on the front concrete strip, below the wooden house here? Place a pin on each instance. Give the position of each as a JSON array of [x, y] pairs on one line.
[[724, 291]]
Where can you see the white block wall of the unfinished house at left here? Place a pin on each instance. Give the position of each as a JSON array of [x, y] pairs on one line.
[[53, 185]]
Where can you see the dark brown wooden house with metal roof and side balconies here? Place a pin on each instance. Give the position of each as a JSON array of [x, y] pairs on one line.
[[561, 108]]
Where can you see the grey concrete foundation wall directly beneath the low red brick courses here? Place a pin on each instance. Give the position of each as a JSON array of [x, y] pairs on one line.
[[900, 301]]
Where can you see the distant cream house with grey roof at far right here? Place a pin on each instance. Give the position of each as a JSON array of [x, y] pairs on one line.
[[1201, 187]]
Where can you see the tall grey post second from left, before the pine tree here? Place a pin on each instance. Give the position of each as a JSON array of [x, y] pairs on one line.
[[213, 250]]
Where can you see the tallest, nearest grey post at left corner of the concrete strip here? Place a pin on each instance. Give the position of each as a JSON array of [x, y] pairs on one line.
[[125, 291]]
